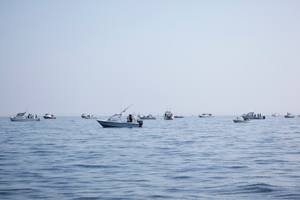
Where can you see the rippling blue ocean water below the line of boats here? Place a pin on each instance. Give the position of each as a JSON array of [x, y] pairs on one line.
[[189, 158]]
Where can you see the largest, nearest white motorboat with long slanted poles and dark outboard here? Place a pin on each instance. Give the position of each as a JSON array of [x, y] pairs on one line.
[[116, 121]]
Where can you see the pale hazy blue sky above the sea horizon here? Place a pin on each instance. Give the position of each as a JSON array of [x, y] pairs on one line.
[[222, 57]]
